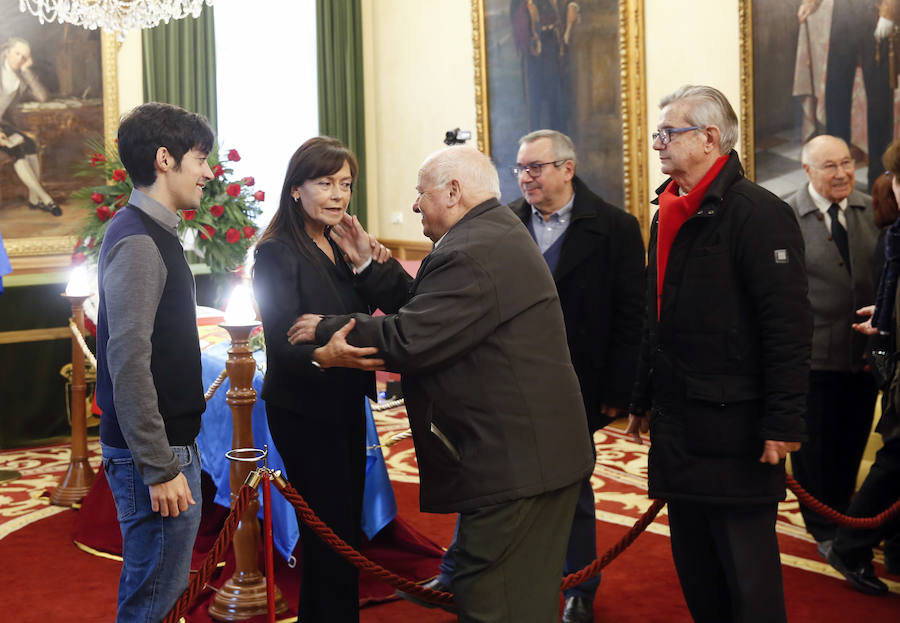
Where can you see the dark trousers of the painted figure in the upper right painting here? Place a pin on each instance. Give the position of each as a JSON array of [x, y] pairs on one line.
[[852, 44]]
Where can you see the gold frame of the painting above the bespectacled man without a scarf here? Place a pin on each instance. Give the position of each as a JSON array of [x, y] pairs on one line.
[[633, 101]]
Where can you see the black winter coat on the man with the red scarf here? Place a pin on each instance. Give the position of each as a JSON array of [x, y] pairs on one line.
[[726, 366]]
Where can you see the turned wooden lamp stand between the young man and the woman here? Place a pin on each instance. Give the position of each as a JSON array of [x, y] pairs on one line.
[[244, 594]]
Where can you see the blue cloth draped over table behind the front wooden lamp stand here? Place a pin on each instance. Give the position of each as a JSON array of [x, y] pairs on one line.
[[214, 440]]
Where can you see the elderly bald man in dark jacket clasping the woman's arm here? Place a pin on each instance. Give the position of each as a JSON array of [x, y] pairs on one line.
[[493, 401]]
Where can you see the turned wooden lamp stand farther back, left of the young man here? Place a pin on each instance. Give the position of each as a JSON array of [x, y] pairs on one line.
[[79, 476]]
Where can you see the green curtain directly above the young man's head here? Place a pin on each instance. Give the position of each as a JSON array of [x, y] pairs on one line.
[[180, 64]]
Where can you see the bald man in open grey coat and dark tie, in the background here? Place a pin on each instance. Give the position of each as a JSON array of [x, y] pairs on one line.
[[840, 237]]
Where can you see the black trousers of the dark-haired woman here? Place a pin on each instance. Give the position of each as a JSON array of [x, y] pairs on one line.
[[325, 459]]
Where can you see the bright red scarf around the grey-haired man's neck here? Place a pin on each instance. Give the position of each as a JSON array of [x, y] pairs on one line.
[[674, 210]]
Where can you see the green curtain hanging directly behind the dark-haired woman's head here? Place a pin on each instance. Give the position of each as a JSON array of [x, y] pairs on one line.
[[341, 101]]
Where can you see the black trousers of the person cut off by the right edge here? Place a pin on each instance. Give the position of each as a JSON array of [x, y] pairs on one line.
[[880, 489]]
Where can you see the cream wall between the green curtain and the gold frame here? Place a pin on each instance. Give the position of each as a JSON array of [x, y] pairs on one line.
[[419, 83]]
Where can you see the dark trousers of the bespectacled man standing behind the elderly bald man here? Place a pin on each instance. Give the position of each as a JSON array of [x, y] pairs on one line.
[[580, 552]]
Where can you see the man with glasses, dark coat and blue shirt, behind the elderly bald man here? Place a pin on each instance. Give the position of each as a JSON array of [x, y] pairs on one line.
[[596, 254]]
